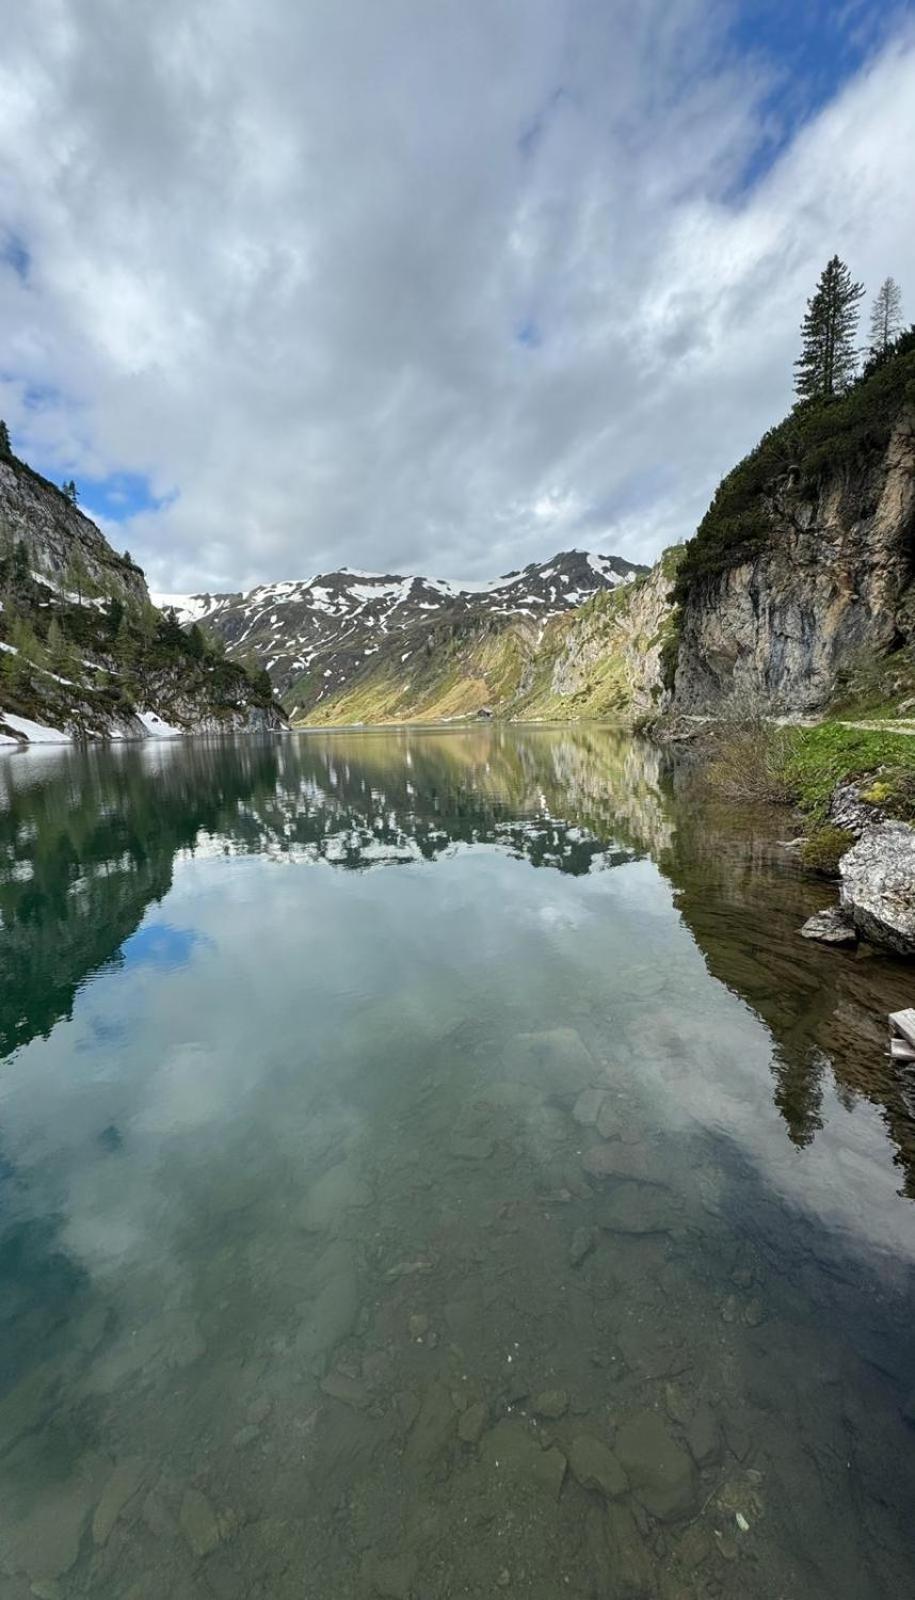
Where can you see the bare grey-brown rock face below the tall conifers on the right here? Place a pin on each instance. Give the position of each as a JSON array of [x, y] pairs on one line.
[[833, 585]]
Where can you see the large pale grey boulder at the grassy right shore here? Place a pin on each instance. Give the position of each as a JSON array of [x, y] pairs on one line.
[[879, 886]]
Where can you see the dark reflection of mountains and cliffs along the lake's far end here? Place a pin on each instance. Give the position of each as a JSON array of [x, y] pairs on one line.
[[89, 842]]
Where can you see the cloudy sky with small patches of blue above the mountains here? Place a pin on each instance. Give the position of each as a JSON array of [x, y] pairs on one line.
[[420, 287]]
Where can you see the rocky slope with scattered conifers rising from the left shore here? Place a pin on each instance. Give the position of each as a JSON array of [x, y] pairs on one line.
[[84, 654]]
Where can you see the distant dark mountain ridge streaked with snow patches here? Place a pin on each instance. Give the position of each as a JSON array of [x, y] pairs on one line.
[[326, 630]]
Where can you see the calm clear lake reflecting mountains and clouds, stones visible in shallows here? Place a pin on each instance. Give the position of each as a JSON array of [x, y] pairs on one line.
[[433, 1166]]
